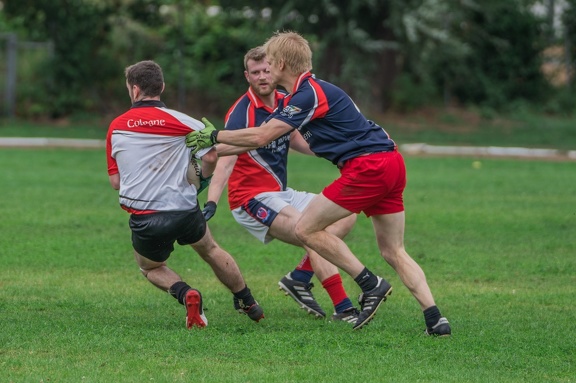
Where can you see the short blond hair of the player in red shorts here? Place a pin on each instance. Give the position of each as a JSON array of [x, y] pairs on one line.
[[292, 49]]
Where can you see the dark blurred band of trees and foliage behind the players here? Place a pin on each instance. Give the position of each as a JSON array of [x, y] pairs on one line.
[[65, 58]]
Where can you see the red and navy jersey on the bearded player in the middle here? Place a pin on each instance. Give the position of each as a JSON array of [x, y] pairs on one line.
[[258, 170]]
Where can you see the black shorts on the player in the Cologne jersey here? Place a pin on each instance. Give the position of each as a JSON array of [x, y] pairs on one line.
[[153, 235]]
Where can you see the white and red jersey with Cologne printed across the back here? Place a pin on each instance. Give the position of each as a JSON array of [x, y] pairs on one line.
[[146, 146]]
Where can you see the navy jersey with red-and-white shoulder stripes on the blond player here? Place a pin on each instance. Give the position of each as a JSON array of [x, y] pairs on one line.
[[330, 122]]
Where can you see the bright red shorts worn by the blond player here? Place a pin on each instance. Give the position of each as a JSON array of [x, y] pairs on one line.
[[372, 183]]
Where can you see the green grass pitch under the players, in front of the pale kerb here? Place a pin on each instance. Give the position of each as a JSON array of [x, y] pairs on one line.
[[497, 244]]
